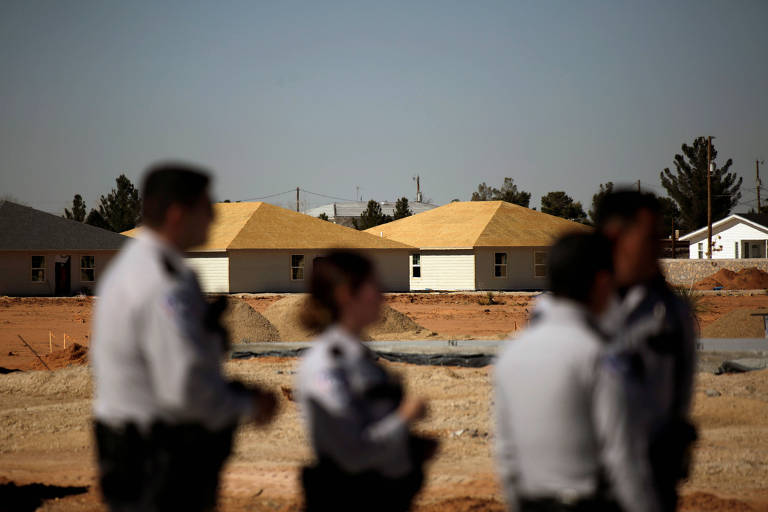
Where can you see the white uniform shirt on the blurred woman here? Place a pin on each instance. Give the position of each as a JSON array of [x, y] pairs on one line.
[[349, 422]]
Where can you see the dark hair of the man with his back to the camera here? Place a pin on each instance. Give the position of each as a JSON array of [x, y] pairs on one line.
[[574, 262]]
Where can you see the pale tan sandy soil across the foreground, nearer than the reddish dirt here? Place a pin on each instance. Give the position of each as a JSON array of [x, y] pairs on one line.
[[45, 438]]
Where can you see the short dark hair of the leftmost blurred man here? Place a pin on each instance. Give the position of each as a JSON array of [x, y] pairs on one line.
[[170, 183]]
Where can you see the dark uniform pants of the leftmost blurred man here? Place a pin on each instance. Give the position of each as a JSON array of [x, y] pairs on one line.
[[171, 468]]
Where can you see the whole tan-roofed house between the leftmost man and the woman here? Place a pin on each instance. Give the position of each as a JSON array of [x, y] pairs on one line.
[[257, 247]]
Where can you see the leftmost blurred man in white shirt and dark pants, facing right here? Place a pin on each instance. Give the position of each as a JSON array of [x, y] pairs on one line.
[[164, 414]]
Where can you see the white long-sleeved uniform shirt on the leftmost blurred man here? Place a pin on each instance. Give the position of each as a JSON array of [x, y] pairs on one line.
[[151, 355]]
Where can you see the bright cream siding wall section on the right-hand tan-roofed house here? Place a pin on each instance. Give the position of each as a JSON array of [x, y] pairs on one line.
[[445, 270]]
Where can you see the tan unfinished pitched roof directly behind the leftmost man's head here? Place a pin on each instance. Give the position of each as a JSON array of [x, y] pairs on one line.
[[265, 226]]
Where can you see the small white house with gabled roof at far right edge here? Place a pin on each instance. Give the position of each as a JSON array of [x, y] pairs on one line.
[[738, 236]]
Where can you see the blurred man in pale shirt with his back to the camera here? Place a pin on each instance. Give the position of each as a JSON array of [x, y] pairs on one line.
[[562, 434]]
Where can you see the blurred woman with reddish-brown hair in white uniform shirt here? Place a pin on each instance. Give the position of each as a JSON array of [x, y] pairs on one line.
[[356, 415]]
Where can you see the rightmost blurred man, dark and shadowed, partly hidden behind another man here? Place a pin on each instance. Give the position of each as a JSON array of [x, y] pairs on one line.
[[654, 347]]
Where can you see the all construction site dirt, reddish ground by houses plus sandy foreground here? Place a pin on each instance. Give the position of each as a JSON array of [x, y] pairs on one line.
[[45, 435]]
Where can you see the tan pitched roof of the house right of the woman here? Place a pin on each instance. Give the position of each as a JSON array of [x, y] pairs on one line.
[[477, 224]]
